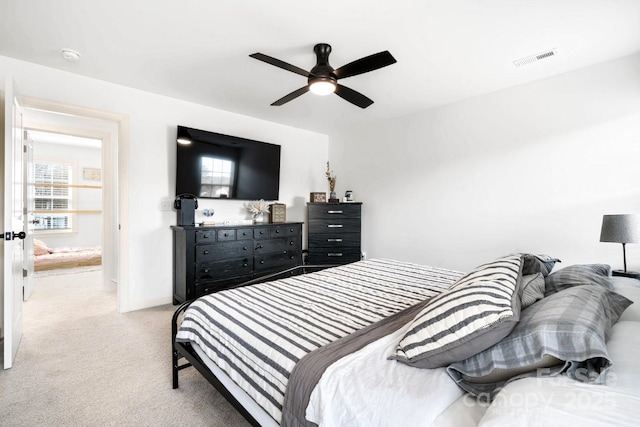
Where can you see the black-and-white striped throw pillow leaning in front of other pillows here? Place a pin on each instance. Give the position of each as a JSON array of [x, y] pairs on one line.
[[475, 313]]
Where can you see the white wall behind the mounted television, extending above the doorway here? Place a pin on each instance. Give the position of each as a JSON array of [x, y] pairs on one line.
[[152, 133]]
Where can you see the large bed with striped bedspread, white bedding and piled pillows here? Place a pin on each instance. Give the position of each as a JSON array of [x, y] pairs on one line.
[[383, 342]]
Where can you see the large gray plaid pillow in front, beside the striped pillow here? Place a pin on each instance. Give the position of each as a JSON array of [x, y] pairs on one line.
[[564, 332]]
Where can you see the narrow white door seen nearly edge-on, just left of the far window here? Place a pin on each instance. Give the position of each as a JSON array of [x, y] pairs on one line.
[[29, 205]]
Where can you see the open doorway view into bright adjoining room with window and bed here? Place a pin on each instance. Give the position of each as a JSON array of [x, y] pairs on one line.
[[66, 198]]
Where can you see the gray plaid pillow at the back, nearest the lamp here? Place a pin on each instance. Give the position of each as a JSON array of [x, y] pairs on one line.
[[577, 275]]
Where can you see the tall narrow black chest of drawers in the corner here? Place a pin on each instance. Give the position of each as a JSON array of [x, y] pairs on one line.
[[334, 233]]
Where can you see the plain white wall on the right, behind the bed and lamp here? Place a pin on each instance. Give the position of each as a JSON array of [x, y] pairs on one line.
[[532, 168]]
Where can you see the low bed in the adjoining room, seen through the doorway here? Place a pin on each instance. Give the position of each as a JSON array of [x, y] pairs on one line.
[[46, 258]]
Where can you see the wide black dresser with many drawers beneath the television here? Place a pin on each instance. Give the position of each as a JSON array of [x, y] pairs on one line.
[[209, 259]]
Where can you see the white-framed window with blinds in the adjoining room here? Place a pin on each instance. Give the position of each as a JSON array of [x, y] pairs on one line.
[[53, 196]]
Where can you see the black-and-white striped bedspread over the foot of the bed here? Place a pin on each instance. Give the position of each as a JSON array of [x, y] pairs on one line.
[[257, 334]]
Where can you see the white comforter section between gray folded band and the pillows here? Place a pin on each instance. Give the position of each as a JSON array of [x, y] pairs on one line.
[[362, 381]]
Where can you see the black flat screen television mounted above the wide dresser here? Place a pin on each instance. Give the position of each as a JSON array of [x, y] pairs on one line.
[[216, 166]]
